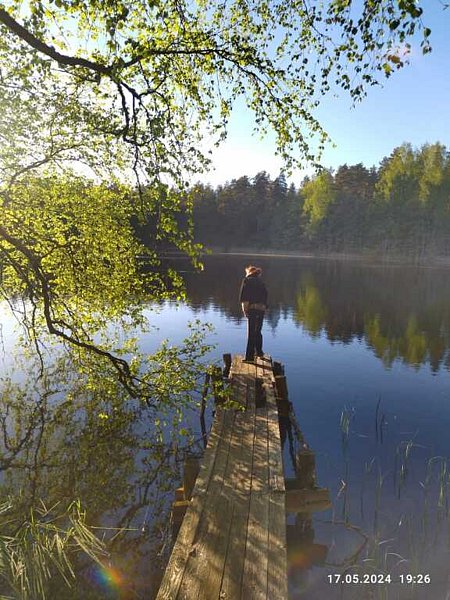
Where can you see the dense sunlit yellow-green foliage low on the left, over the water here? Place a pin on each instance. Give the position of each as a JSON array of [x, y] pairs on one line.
[[70, 250]]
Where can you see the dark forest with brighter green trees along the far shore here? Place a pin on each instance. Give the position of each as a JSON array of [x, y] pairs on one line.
[[400, 208]]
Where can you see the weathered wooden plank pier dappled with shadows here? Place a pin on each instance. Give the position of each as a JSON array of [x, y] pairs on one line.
[[232, 540]]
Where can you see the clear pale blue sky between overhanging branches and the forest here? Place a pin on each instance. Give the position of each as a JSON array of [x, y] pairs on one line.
[[412, 106]]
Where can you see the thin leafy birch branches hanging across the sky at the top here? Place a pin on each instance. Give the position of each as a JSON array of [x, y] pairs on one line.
[[177, 62]]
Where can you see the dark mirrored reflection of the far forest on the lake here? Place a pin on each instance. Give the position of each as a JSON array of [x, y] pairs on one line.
[[402, 313]]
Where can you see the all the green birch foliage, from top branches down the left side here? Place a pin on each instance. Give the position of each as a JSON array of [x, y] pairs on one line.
[[106, 103]]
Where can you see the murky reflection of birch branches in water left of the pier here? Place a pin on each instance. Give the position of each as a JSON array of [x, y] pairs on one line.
[[59, 443]]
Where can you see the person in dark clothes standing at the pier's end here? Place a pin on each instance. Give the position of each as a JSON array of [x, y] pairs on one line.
[[253, 298]]
